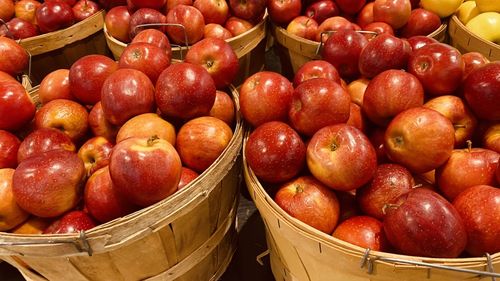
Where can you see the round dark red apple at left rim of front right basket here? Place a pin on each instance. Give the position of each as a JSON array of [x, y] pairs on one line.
[[275, 152]]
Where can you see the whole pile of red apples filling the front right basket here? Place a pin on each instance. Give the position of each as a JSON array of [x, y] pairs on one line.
[[390, 147]]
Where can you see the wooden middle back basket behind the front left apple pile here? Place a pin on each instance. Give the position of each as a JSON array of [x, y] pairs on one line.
[[249, 47]]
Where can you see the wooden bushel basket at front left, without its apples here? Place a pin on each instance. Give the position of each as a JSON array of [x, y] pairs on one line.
[[188, 236]]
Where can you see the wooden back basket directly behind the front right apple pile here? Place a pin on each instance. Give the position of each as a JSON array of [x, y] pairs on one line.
[[294, 51]]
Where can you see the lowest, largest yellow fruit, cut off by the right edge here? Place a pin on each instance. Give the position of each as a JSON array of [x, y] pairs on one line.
[[486, 26]]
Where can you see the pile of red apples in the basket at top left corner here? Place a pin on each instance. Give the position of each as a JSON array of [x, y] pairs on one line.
[[28, 18]]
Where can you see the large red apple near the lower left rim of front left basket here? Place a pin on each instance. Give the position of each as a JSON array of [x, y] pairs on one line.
[[56, 186]]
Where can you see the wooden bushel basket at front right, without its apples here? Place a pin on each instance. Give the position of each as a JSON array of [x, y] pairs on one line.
[[299, 252]]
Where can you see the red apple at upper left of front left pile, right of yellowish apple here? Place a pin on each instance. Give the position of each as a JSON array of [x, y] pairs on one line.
[[86, 76]]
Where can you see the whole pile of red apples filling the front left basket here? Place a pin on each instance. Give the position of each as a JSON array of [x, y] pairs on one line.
[[109, 138]]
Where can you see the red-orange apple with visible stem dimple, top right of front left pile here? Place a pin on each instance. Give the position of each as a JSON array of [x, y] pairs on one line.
[[217, 57]]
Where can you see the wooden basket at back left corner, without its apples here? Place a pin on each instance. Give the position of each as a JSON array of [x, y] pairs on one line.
[[60, 49]]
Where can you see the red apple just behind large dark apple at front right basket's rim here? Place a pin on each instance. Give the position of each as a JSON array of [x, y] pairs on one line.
[[389, 182]]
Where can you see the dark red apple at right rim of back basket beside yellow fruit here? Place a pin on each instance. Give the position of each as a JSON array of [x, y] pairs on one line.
[[420, 22]]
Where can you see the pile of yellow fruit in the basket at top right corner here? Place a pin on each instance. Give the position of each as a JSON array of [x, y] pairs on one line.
[[482, 18]]
